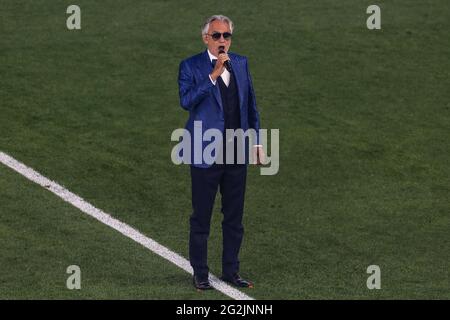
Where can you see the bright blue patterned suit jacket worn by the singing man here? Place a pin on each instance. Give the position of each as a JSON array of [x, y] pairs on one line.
[[203, 100]]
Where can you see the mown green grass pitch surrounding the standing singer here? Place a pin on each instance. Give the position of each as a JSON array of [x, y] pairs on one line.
[[364, 119]]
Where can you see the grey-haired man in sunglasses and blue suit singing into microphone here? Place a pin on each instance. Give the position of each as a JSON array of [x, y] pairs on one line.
[[218, 96]]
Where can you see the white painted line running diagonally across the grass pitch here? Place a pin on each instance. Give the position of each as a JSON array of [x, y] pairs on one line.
[[123, 228]]
